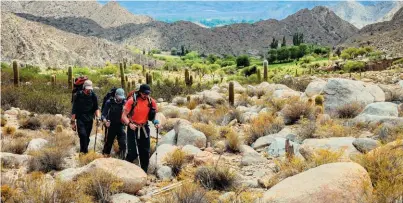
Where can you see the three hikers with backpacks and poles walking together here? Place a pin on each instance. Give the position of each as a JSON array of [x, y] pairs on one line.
[[118, 112]]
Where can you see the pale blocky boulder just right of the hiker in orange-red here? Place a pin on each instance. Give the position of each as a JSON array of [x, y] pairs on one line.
[[188, 135]]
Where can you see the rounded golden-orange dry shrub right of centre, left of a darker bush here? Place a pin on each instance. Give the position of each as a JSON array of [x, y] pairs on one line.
[[263, 124]]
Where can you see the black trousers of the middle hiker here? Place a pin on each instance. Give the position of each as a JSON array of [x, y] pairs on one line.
[[115, 130]]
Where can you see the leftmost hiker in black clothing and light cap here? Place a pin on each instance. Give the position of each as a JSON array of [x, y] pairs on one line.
[[85, 107]]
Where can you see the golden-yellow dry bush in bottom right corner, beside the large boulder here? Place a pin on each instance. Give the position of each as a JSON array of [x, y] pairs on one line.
[[385, 168]]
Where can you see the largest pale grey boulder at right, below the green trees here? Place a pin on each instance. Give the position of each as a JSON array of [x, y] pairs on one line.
[[338, 92]]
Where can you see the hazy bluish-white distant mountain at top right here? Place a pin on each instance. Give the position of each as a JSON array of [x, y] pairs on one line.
[[360, 14]]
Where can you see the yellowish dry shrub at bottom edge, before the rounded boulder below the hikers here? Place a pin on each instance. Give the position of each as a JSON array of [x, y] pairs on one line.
[[100, 185]]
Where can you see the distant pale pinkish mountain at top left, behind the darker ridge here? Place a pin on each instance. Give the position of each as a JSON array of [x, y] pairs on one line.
[[108, 15]]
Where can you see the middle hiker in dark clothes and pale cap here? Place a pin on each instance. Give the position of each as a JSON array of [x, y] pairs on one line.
[[111, 116]]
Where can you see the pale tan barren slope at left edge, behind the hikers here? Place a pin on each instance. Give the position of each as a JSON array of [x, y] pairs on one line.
[[43, 45]]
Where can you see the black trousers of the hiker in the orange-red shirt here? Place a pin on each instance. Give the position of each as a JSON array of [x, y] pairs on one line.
[[143, 145]]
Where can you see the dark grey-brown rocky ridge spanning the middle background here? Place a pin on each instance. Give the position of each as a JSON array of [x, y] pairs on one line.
[[319, 25]]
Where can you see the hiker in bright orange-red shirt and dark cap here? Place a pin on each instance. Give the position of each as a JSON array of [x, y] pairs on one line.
[[138, 110]]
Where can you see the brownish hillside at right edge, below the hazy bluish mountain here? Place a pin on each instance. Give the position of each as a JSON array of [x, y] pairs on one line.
[[386, 36]]
